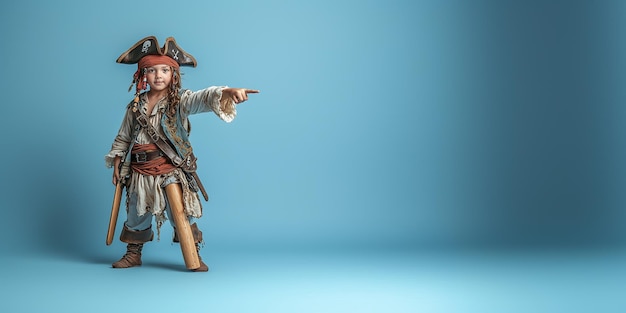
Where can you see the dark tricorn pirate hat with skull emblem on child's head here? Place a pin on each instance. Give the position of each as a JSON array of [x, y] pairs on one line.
[[150, 46]]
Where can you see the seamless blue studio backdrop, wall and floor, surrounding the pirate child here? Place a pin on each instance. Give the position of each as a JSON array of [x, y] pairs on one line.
[[389, 128]]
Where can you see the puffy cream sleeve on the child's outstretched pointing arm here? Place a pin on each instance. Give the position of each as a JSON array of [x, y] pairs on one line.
[[208, 99]]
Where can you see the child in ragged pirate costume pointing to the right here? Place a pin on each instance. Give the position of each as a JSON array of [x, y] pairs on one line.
[[155, 128]]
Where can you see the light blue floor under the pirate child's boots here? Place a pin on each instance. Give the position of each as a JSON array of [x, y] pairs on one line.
[[314, 281]]
